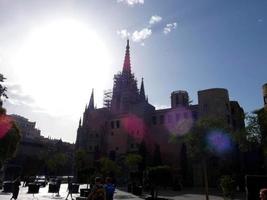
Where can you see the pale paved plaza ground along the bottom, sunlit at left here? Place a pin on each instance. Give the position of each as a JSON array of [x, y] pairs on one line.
[[185, 194]]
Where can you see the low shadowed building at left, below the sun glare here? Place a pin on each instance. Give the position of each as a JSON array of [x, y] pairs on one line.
[[35, 148]]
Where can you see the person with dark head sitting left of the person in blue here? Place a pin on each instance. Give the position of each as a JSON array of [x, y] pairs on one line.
[[98, 191]]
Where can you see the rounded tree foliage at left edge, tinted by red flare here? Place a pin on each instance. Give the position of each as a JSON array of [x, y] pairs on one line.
[[9, 143]]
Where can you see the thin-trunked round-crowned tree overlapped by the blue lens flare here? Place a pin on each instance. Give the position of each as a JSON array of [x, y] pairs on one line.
[[198, 147]]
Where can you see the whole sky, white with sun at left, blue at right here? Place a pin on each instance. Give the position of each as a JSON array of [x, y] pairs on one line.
[[54, 52]]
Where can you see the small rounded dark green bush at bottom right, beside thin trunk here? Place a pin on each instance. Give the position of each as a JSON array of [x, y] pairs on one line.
[[227, 184]]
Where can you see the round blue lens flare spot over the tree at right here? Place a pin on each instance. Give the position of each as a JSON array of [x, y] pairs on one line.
[[219, 142]]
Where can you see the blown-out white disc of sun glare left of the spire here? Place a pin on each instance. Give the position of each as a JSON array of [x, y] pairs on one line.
[[59, 62]]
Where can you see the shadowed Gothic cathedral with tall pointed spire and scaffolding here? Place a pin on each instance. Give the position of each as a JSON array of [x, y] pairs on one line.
[[127, 119]]
